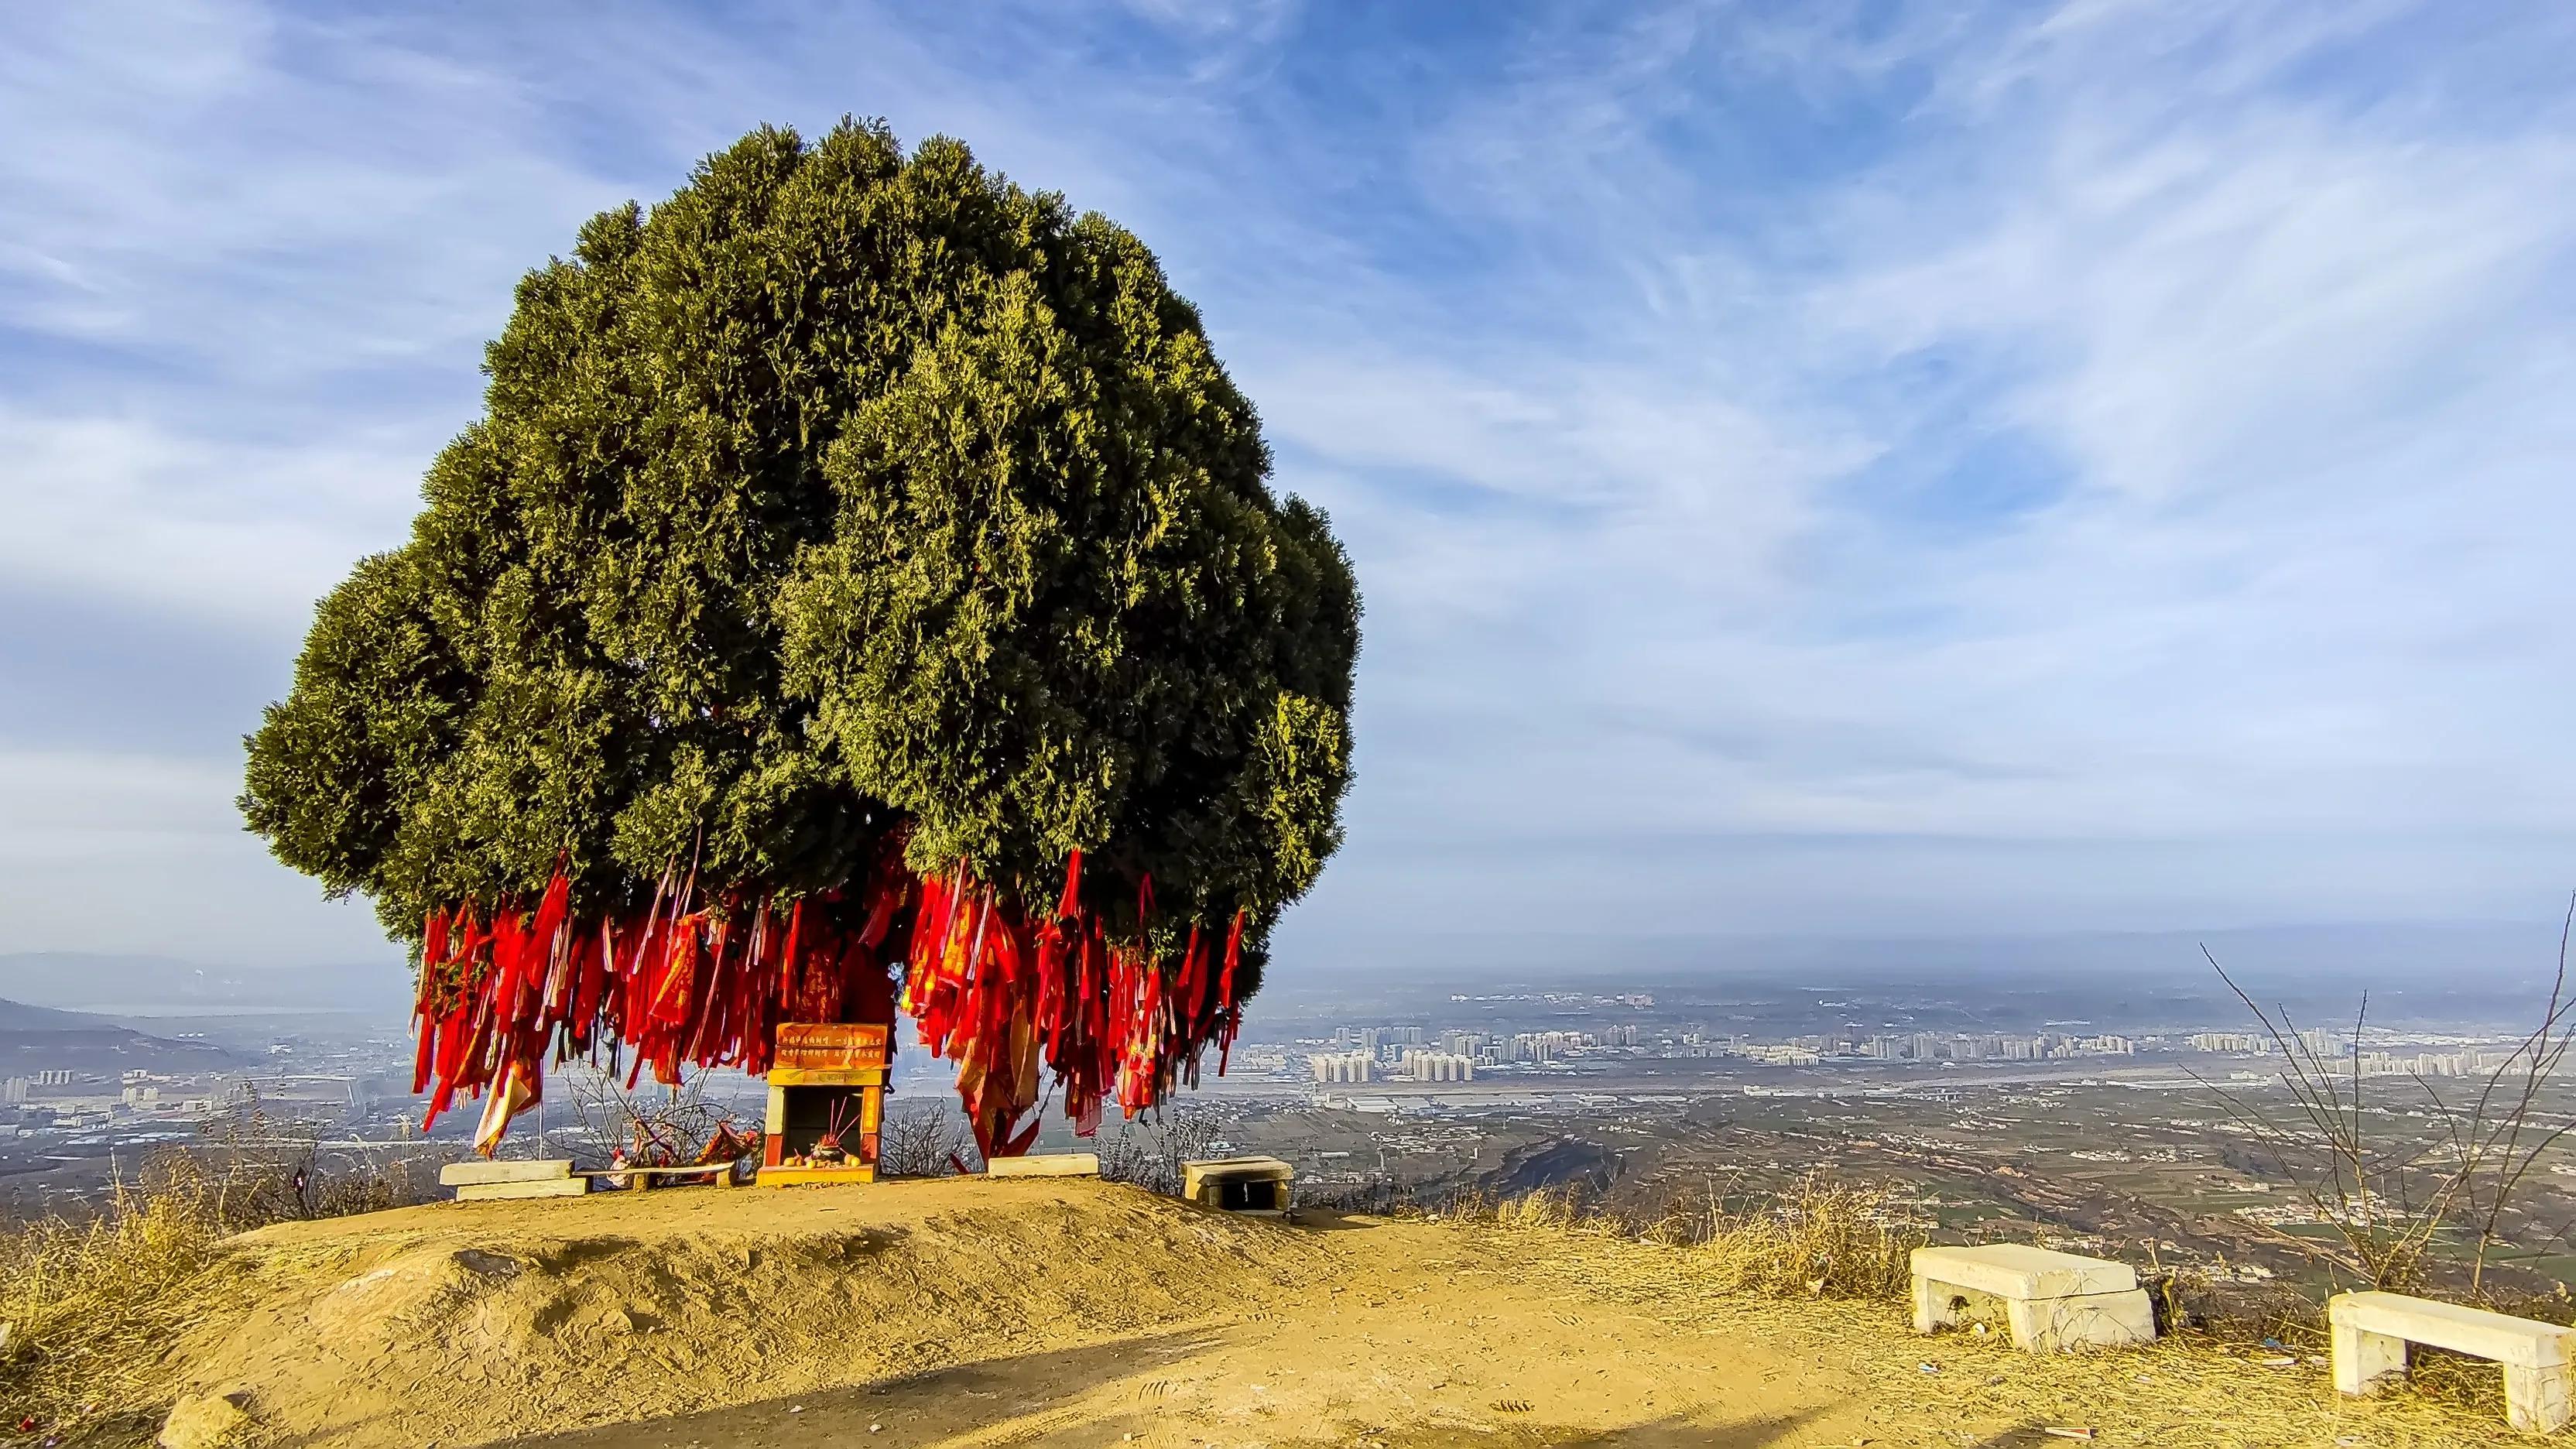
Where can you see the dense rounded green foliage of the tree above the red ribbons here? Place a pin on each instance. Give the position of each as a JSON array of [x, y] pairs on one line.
[[838, 494]]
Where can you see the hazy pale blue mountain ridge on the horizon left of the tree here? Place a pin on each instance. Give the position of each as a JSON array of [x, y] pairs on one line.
[[161, 986]]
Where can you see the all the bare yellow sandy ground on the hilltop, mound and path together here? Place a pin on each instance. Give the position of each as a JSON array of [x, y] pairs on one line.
[[967, 1314]]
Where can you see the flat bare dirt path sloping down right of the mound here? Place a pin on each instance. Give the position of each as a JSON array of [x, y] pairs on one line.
[[1416, 1337]]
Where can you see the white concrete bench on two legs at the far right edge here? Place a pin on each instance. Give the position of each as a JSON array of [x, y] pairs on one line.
[[2371, 1337]]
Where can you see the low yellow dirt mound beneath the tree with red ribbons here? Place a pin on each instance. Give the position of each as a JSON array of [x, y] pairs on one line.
[[488, 1321]]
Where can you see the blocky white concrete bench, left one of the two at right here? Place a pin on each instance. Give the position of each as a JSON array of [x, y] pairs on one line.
[[2052, 1301]]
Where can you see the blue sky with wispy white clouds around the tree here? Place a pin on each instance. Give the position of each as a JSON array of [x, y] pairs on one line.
[[1812, 468]]
